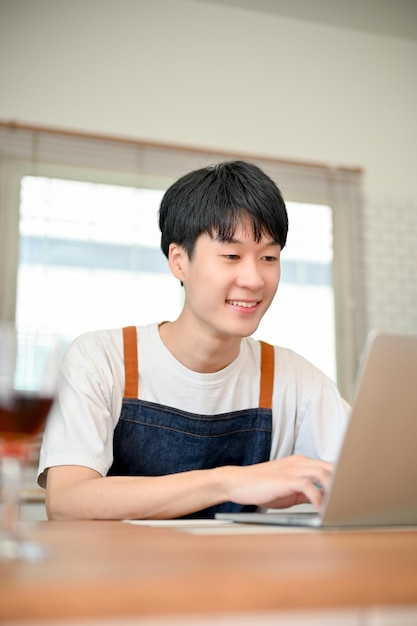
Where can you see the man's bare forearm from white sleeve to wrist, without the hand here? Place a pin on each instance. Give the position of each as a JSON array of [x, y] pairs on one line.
[[79, 493]]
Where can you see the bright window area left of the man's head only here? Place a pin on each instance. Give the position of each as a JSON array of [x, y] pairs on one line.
[[90, 257]]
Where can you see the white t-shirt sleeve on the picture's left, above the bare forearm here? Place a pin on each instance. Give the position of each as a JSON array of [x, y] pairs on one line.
[[79, 430]]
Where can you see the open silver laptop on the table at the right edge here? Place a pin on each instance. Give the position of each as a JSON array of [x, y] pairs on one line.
[[375, 477]]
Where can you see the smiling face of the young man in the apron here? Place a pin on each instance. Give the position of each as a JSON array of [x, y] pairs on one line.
[[229, 285]]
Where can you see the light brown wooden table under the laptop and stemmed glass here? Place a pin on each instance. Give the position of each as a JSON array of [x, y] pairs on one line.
[[115, 568]]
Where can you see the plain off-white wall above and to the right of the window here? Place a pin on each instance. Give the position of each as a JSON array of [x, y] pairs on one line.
[[220, 77]]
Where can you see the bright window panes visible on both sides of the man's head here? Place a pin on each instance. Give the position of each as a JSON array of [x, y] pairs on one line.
[[90, 258]]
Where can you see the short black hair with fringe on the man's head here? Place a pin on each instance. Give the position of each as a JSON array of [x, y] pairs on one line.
[[216, 199]]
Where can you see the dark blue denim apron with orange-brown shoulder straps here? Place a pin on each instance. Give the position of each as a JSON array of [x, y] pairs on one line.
[[155, 440]]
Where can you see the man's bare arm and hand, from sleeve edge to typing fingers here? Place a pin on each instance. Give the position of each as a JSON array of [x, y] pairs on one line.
[[75, 492]]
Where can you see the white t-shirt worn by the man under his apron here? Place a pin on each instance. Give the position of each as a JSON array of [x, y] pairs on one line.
[[308, 414]]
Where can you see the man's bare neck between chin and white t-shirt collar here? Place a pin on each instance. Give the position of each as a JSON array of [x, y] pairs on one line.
[[198, 350]]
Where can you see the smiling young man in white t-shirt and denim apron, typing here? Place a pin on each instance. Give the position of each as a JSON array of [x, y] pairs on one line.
[[193, 416]]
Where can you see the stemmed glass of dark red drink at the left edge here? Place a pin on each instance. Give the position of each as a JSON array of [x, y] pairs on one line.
[[29, 370]]
